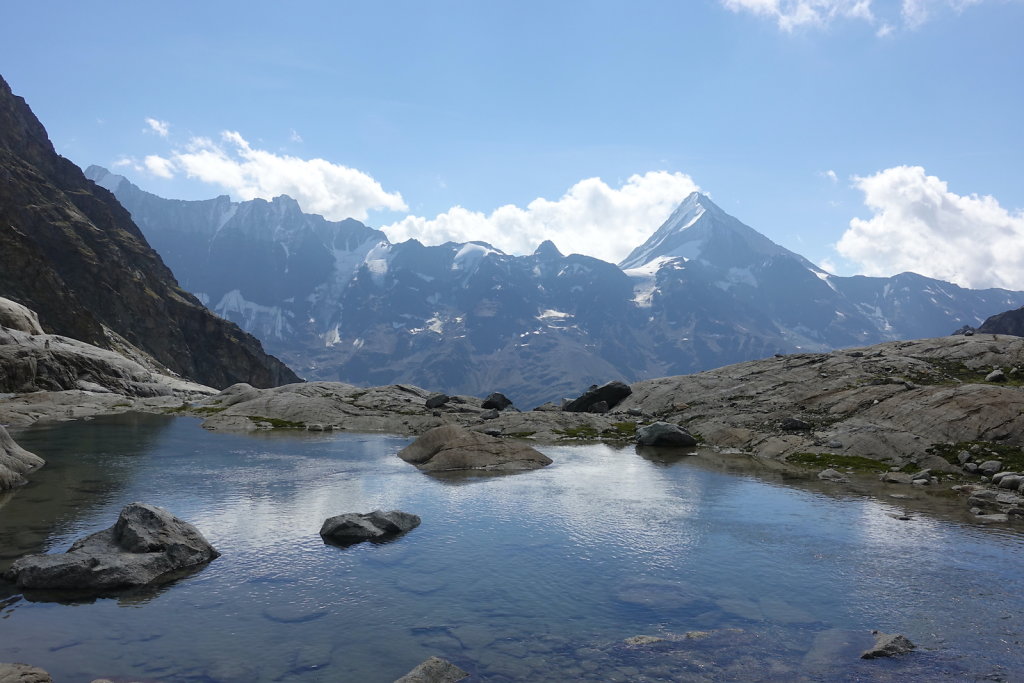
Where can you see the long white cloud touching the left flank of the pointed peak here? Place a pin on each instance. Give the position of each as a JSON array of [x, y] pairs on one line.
[[590, 219]]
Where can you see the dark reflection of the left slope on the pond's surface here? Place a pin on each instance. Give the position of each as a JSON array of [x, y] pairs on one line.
[[88, 465]]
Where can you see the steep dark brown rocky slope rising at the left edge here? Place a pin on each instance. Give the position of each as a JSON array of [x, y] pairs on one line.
[[72, 253]]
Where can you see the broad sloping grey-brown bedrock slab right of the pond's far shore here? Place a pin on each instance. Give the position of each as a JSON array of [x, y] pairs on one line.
[[892, 402]]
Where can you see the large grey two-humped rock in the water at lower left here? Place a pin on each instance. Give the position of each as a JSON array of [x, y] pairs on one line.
[[145, 545]]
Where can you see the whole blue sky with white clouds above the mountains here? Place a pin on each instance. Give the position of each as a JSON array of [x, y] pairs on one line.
[[872, 137]]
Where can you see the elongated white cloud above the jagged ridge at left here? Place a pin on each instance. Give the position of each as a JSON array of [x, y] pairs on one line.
[[330, 190]]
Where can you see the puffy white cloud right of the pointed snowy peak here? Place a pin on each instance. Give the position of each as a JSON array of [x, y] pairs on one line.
[[920, 226]]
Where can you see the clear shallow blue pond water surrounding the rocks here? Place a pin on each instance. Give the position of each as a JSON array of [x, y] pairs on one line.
[[532, 577]]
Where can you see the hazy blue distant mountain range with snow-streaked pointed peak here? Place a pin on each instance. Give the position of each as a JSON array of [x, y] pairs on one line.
[[705, 291]]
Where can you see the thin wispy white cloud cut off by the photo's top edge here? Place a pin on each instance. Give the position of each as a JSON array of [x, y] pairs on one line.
[[792, 15]]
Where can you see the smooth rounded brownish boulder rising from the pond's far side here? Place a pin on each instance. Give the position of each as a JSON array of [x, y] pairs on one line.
[[452, 448]]
